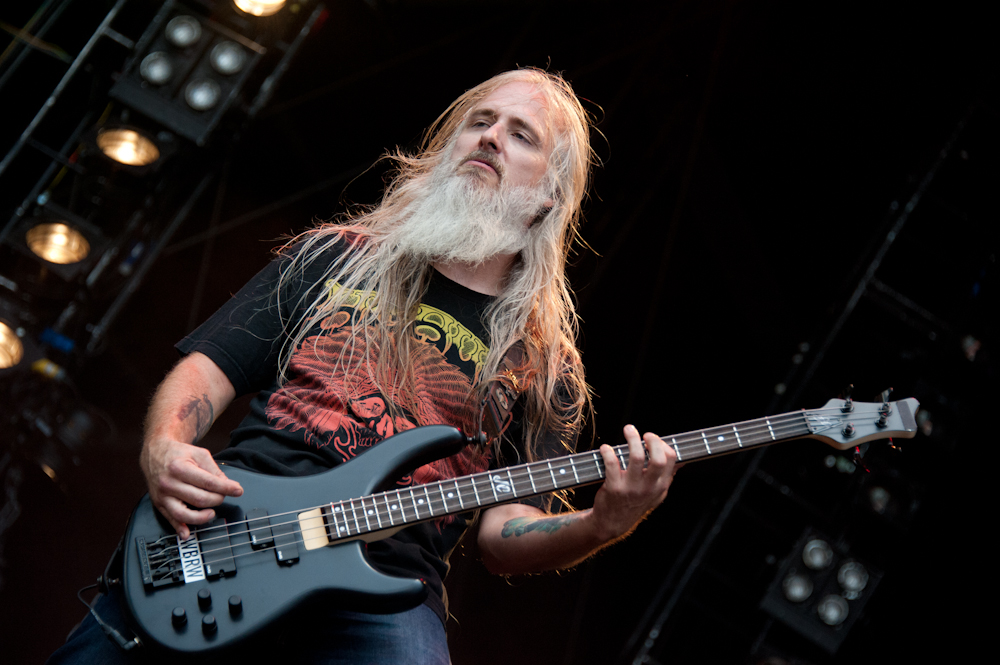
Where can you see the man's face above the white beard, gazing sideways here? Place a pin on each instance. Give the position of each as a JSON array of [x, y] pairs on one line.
[[506, 138]]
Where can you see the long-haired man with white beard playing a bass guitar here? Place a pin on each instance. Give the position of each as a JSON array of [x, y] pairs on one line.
[[404, 315]]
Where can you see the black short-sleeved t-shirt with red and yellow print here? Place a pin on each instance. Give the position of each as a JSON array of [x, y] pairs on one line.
[[318, 420]]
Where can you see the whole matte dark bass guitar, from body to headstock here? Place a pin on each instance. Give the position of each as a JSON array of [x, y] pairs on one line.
[[288, 540]]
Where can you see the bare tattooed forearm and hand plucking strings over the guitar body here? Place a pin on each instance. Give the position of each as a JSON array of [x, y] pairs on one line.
[[184, 481]]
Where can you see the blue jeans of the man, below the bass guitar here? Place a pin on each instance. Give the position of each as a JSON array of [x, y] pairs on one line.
[[334, 637]]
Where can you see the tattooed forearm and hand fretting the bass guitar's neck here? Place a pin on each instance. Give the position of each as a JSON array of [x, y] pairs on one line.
[[517, 538]]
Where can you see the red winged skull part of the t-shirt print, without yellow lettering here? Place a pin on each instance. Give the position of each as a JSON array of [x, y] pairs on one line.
[[349, 415]]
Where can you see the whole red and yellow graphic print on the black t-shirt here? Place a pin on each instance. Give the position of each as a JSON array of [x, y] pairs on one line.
[[346, 414]]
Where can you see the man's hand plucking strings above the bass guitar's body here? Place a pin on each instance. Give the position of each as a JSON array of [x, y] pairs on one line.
[[184, 483]]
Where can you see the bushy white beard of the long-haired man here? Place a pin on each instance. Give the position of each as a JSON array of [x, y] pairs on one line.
[[465, 220]]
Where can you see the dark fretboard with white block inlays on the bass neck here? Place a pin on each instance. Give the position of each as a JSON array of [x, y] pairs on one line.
[[420, 503]]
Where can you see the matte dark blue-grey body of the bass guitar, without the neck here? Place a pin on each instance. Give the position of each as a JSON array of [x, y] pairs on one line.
[[267, 588]]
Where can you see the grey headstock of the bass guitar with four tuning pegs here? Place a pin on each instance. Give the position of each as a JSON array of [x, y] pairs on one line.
[[844, 424]]
